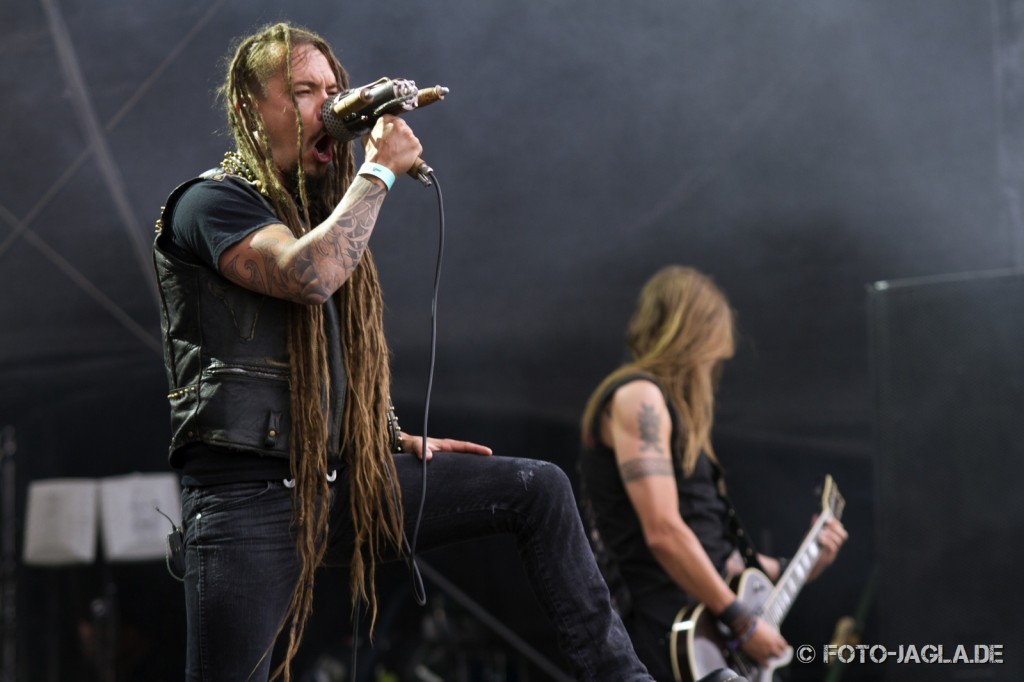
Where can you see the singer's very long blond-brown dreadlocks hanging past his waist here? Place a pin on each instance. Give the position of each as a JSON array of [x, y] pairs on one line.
[[377, 517]]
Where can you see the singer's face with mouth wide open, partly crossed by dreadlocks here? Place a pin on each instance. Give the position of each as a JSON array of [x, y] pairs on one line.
[[313, 83]]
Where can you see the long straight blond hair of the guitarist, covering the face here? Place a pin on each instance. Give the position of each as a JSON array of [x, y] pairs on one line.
[[680, 333]]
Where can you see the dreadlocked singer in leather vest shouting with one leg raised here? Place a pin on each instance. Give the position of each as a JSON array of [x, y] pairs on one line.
[[282, 424]]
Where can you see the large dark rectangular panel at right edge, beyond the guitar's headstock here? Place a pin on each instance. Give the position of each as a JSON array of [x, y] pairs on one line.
[[949, 381]]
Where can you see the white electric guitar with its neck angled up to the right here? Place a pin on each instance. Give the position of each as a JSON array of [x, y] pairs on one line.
[[699, 644]]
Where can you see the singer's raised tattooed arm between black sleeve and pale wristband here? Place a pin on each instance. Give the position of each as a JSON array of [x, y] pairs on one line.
[[324, 260]]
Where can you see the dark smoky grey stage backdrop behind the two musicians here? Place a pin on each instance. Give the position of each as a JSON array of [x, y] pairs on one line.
[[795, 151]]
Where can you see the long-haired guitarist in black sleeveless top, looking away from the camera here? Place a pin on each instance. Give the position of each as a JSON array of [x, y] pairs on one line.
[[652, 489]]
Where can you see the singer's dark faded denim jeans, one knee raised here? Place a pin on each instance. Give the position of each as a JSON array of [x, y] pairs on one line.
[[242, 563]]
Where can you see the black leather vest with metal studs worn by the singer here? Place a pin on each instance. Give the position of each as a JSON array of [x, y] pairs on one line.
[[226, 356]]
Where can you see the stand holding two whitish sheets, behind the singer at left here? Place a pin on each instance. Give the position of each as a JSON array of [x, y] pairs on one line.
[[66, 518]]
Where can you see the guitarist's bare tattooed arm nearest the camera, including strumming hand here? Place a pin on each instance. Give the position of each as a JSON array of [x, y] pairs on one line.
[[639, 430]]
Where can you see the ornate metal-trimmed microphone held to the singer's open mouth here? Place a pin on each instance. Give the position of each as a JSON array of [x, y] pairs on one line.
[[353, 114]]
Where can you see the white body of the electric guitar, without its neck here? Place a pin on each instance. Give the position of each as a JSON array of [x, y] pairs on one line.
[[699, 644]]
